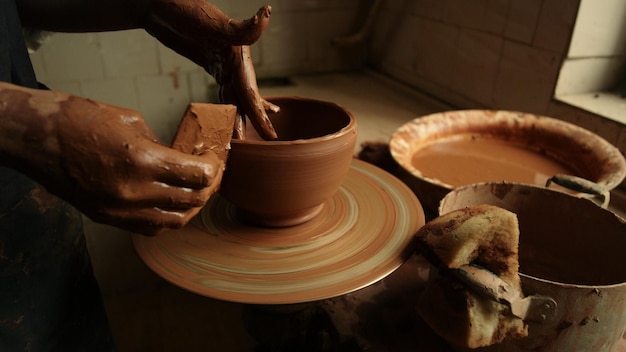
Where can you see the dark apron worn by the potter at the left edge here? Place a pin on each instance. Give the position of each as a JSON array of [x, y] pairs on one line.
[[49, 299]]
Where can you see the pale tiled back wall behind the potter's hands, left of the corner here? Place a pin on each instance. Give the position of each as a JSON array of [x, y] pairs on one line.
[[132, 69]]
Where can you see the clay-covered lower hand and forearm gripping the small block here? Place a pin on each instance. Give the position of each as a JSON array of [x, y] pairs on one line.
[[102, 159]]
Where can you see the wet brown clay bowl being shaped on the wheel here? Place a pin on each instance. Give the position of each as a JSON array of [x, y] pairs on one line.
[[285, 182]]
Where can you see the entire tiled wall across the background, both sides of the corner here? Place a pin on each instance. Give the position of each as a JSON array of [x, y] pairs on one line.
[[502, 54]]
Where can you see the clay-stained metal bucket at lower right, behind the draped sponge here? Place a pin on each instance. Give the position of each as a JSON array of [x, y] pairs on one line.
[[571, 250]]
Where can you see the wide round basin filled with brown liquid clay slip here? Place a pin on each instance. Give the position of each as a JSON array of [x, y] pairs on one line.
[[441, 151]]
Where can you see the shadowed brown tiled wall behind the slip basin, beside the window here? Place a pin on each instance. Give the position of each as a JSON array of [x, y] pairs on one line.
[[500, 54]]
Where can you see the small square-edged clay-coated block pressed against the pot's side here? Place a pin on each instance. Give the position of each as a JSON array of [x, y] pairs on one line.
[[206, 129]]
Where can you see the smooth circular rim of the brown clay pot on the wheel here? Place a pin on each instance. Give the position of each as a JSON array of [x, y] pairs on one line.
[[350, 127]]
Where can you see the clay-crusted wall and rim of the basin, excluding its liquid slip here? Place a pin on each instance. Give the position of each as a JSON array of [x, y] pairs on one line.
[[584, 153]]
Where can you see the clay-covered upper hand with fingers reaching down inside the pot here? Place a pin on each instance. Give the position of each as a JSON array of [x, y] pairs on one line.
[[201, 32]]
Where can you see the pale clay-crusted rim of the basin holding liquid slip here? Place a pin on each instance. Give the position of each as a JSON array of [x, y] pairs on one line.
[[399, 152]]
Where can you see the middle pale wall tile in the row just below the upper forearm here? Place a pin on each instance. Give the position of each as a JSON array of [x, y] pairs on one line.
[[128, 53]]
